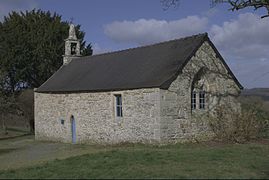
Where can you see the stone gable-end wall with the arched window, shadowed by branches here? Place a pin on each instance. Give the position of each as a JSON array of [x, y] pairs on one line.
[[178, 121]]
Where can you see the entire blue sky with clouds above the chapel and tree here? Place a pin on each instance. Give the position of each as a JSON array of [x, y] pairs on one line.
[[241, 37]]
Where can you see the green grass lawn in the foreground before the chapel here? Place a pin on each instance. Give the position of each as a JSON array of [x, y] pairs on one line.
[[146, 161]]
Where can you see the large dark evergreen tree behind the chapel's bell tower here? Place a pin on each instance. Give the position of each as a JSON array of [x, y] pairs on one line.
[[31, 48]]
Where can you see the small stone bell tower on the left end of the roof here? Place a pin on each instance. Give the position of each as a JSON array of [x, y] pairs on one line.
[[72, 46]]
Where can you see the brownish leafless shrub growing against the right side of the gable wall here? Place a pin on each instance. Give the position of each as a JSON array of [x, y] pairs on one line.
[[240, 126]]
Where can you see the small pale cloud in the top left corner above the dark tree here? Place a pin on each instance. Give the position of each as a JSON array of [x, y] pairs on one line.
[[6, 6]]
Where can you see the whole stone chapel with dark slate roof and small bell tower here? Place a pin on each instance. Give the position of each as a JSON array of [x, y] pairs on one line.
[[157, 93]]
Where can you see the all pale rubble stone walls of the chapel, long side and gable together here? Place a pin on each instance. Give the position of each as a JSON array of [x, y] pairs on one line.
[[149, 115]]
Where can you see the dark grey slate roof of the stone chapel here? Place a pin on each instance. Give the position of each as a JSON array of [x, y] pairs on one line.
[[155, 65]]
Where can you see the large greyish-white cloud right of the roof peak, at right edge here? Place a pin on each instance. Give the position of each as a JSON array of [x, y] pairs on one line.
[[245, 37]]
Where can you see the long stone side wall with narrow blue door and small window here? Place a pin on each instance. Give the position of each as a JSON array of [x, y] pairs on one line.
[[94, 114]]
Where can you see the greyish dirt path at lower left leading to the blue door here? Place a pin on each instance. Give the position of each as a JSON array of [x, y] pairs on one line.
[[25, 151]]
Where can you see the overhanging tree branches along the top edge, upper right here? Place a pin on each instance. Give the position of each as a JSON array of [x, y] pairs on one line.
[[235, 4]]
